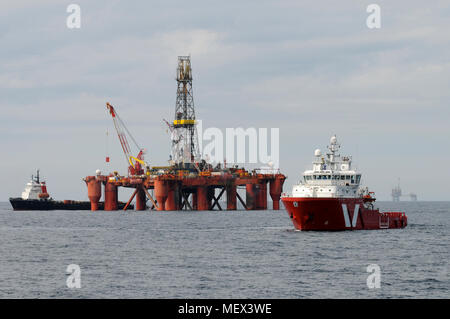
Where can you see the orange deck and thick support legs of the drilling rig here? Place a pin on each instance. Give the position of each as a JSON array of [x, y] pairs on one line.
[[182, 191]]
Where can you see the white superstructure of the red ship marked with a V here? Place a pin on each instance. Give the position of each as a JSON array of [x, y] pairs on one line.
[[332, 176]]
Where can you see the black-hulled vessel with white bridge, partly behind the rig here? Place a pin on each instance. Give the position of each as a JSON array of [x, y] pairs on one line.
[[36, 197]]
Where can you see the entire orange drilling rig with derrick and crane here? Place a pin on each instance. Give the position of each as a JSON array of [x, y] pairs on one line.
[[189, 182]]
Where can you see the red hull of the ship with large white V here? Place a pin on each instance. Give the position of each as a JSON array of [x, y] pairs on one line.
[[333, 214]]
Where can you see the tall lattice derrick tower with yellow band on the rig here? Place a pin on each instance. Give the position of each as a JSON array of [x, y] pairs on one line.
[[185, 150]]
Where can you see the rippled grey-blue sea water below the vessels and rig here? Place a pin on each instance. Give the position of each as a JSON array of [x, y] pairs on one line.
[[219, 255]]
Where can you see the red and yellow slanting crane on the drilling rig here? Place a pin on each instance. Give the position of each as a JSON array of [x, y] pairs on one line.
[[135, 164]]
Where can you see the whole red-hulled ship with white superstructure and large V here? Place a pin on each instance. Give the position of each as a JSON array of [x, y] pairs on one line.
[[329, 197]]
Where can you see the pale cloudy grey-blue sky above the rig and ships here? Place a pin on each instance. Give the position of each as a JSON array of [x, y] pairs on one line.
[[310, 68]]
